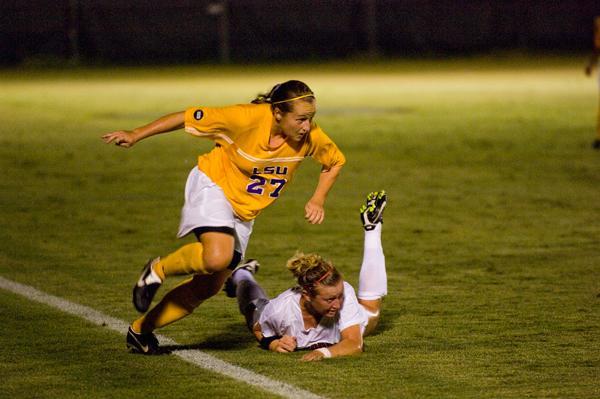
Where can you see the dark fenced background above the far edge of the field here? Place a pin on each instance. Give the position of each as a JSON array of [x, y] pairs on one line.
[[188, 31]]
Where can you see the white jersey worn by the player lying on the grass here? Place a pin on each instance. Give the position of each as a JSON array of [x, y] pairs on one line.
[[283, 316]]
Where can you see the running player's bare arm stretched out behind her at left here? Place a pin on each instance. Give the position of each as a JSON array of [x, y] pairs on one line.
[[127, 138]]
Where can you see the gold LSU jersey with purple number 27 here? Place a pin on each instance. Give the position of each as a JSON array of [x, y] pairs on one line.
[[251, 174]]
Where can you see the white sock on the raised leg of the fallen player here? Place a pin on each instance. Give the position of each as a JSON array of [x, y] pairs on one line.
[[372, 281]]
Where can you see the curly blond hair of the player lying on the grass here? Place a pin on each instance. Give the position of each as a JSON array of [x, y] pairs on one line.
[[311, 270]]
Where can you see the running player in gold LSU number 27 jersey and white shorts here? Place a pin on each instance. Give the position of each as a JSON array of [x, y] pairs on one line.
[[258, 148]]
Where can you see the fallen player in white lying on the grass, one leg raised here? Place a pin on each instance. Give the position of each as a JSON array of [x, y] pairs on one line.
[[322, 314]]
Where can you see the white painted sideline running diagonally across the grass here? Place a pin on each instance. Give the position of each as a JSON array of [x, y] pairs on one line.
[[193, 356]]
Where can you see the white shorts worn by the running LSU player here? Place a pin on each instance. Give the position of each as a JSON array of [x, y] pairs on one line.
[[206, 206]]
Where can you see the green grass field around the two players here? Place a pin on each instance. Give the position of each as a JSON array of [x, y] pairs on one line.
[[492, 233]]
